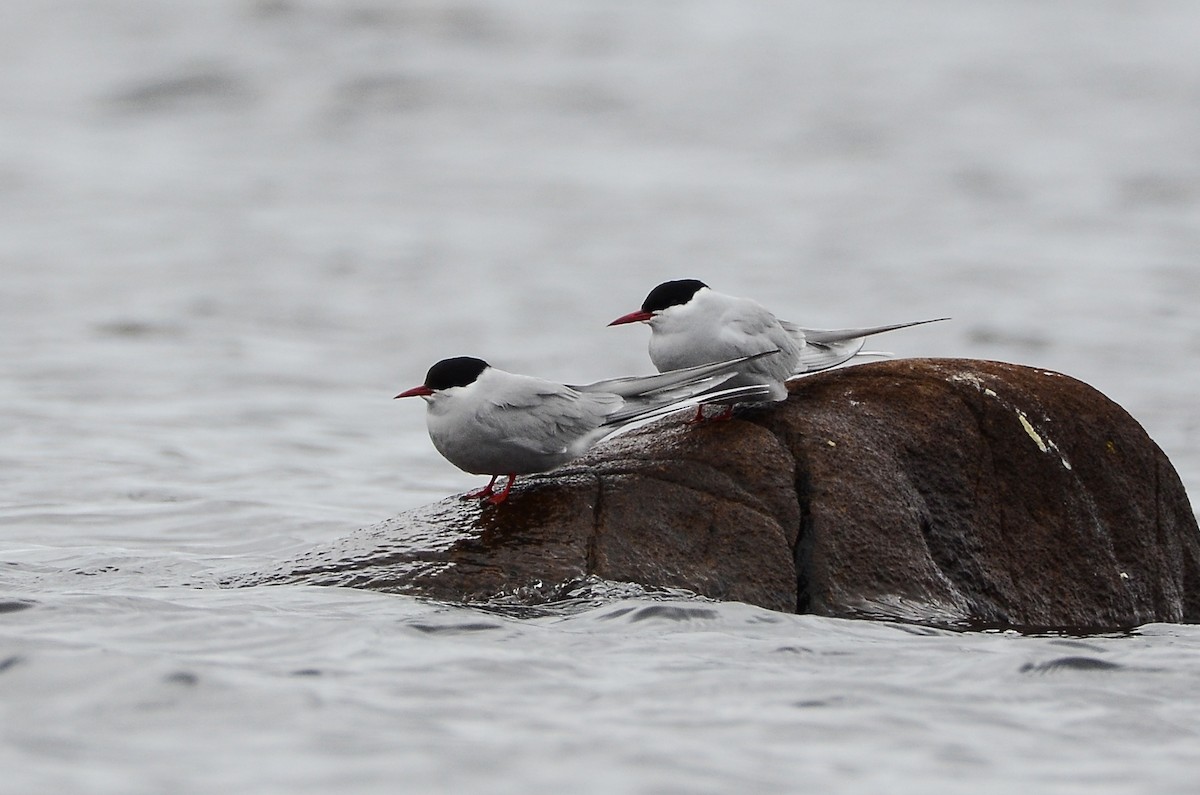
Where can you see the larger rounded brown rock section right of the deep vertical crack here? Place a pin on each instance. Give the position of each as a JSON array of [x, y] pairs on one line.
[[986, 493]]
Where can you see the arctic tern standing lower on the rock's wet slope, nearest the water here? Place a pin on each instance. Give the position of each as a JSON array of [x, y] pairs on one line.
[[490, 422]]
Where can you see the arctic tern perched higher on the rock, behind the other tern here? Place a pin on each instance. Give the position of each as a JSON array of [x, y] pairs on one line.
[[692, 325]]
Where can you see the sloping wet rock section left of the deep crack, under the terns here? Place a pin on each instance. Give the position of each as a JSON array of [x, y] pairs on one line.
[[710, 509]]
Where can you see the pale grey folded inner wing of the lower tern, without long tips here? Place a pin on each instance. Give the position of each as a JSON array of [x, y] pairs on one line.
[[548, 420]]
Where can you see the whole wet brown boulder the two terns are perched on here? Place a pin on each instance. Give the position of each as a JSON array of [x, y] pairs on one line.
[[934, 491]]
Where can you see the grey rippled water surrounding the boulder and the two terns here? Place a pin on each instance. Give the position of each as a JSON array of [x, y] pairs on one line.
[[232, 230]]
